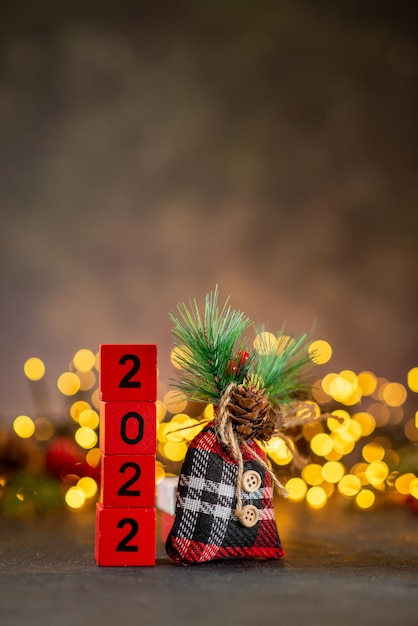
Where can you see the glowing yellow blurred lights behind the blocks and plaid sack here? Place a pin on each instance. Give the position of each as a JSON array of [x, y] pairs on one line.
[[352, 456]]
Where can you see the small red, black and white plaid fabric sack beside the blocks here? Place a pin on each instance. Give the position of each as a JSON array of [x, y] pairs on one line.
[[205, 526]]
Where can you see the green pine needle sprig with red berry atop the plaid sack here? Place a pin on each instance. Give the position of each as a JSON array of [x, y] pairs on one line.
[[211, 352]]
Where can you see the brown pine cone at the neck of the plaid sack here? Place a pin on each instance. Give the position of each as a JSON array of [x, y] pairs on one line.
[[251, 413]]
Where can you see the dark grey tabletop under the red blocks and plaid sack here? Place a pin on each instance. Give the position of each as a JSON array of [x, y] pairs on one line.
[[341, 567]]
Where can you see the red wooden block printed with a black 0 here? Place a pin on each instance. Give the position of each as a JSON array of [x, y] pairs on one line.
[[128, 427]]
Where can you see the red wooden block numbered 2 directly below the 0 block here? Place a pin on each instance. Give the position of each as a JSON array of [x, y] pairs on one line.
[[128, 481]]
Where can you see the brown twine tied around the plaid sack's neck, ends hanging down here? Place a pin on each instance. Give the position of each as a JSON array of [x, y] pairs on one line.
[[232, 440]]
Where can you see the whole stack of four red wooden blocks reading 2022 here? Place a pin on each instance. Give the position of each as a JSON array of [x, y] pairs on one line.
[[126, 514]]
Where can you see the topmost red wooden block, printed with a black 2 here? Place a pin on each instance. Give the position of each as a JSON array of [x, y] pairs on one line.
[[128, 372]]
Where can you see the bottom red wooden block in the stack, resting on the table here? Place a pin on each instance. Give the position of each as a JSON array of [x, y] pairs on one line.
[[125, 536]]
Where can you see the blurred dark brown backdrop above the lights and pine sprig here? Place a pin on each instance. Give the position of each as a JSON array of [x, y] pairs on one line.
[[151, 150]]
